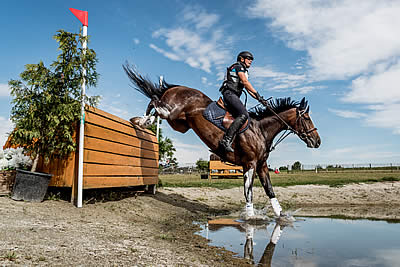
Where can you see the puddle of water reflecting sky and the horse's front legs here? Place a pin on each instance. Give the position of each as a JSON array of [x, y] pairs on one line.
[[309, 241]]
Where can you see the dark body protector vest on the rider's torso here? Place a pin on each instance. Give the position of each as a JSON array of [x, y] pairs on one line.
[[232, 81]]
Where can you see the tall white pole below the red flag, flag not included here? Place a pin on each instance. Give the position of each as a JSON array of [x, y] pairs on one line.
[[82, 126]]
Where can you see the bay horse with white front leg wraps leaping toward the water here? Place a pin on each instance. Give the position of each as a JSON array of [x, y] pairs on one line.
[[183, 108]]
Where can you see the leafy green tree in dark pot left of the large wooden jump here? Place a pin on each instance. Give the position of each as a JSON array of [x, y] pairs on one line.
[[46, 101]]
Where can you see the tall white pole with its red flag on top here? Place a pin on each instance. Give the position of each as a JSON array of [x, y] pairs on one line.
[[83, 17]]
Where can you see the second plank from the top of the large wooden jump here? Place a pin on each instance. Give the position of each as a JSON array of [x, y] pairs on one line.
[[107, 134]]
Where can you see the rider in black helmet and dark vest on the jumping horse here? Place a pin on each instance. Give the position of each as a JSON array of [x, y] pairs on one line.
[[236, 79]]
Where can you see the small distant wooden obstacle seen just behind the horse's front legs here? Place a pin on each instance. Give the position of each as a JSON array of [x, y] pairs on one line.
[[217, 168]]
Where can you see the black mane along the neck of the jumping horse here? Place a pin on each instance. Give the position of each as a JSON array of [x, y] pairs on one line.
[[279, 105]]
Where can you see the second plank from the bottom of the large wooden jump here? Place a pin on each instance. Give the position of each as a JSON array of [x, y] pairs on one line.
[[90, 169]]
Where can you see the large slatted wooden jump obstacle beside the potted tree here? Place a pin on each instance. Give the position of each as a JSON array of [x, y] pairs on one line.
[[116, 154]]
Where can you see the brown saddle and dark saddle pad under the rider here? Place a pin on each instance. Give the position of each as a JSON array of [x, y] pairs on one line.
[[217, 114]]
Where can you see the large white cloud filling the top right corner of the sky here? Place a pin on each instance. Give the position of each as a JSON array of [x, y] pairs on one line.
[[342, 38]]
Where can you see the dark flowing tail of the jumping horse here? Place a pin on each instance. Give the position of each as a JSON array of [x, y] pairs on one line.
[[144, 85]]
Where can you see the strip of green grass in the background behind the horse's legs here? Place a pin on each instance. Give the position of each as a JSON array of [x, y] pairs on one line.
[[284, 179]]
